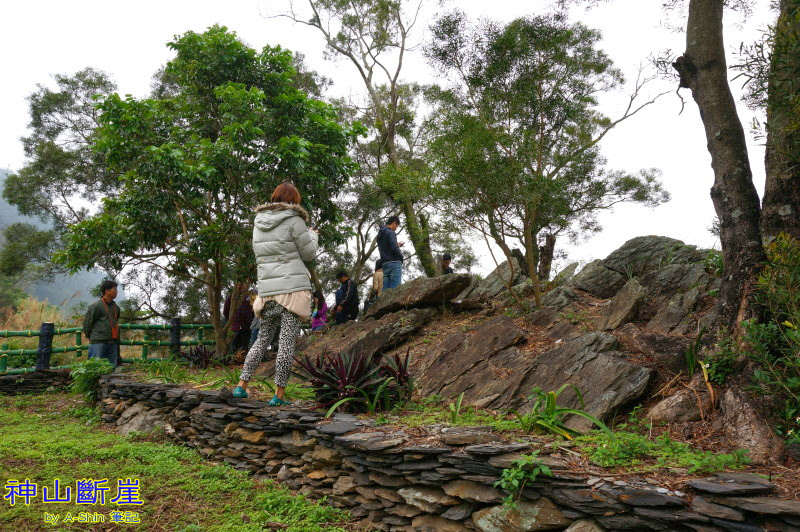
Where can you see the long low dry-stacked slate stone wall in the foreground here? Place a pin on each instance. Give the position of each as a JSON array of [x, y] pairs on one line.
[[391, 483]]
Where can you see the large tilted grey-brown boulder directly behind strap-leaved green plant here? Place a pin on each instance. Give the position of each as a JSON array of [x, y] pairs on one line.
[[606, 381]]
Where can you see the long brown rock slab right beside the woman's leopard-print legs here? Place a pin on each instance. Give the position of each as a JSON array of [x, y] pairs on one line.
[[368, 337]]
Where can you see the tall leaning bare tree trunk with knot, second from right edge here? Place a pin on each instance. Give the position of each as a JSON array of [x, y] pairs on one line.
[[703, 69]]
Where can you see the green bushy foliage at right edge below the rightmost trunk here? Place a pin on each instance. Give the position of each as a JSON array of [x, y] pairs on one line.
[[774, 345]]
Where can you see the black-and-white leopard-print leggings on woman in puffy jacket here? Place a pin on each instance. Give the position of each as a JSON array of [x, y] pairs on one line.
[[272, 316]]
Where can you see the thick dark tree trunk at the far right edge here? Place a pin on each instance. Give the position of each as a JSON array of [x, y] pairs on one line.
[[781, 206]]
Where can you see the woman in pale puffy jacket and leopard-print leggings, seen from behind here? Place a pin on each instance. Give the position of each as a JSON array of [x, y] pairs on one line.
[[282, 243]]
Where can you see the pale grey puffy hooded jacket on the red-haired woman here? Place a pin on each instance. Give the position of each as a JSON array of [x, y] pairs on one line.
[[281, 242]]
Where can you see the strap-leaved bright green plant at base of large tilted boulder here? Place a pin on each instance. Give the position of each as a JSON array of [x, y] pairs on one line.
[[547, 416]]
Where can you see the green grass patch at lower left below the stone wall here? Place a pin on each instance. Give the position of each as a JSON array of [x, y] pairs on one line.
[[51, 436]]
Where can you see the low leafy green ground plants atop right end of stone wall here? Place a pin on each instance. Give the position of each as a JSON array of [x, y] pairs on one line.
[[628, 450]]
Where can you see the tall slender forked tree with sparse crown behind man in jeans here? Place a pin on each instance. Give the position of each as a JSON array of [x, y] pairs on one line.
[[373, 35]]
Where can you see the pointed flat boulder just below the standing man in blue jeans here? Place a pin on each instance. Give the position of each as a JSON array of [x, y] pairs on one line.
[[421, 292]]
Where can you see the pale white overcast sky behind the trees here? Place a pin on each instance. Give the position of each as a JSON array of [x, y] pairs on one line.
[[127, 40]]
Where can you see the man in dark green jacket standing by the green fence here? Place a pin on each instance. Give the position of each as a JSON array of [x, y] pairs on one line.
[[101, 324]]
